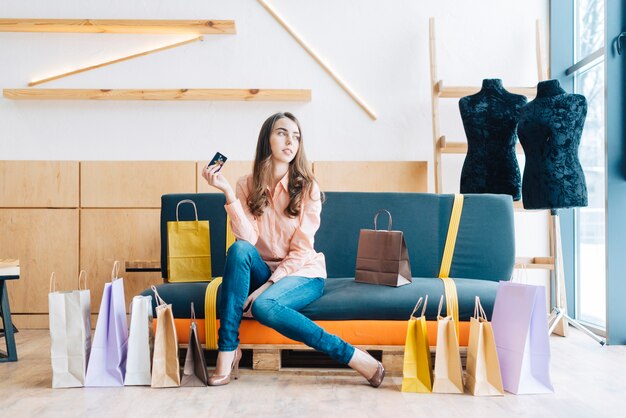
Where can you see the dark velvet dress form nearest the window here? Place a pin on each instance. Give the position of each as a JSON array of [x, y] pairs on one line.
[[549, 130]]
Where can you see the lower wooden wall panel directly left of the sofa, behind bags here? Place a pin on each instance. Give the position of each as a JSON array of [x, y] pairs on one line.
[[107, 235]]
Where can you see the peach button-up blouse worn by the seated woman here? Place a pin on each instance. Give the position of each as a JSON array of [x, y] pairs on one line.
[[284, 243]]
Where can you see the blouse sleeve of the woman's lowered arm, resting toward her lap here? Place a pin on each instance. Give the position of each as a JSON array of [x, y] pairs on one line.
[[301, 245]]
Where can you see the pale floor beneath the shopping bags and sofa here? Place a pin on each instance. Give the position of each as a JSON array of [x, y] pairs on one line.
[[590, 381]]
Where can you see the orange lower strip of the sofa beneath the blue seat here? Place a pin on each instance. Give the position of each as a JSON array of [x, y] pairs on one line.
[[353, 332]]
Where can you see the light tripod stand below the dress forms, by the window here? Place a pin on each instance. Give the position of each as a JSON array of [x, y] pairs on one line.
[[558, 316]]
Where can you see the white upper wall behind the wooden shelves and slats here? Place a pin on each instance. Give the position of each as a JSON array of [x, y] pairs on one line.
[[379, 47]]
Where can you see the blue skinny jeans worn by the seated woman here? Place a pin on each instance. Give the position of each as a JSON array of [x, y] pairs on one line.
[[277, 307]]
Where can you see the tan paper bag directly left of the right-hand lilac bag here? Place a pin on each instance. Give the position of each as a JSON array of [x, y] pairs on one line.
[[482, 376]]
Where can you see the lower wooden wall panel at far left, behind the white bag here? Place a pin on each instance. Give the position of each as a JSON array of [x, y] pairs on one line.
[[44, 240]]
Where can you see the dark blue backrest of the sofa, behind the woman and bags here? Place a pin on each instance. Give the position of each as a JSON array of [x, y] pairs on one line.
[[485, 246]]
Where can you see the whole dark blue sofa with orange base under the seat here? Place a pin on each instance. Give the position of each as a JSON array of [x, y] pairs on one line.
[[364, 314]]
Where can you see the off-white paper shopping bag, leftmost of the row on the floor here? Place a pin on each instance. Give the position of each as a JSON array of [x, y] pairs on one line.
[[70, 333]]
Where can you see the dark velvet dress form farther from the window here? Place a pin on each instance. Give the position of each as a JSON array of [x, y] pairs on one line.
[[489, 118]]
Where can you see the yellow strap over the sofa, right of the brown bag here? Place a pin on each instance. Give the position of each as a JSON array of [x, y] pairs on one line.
[[452, 300]]
